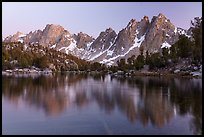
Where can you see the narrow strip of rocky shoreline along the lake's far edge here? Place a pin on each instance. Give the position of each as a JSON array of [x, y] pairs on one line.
[[33, 71]]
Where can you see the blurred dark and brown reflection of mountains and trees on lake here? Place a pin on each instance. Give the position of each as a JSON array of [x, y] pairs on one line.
[[144, 99]]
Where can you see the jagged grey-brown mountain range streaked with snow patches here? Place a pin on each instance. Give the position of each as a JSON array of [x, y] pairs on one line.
[[108, 47]]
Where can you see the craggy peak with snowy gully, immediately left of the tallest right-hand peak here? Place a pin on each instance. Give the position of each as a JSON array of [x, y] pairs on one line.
[[126, 42]]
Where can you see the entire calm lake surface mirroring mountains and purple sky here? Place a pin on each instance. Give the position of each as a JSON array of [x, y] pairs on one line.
[[84, 104]]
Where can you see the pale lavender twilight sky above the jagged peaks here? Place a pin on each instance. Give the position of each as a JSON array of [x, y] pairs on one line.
[[91, 17]]
